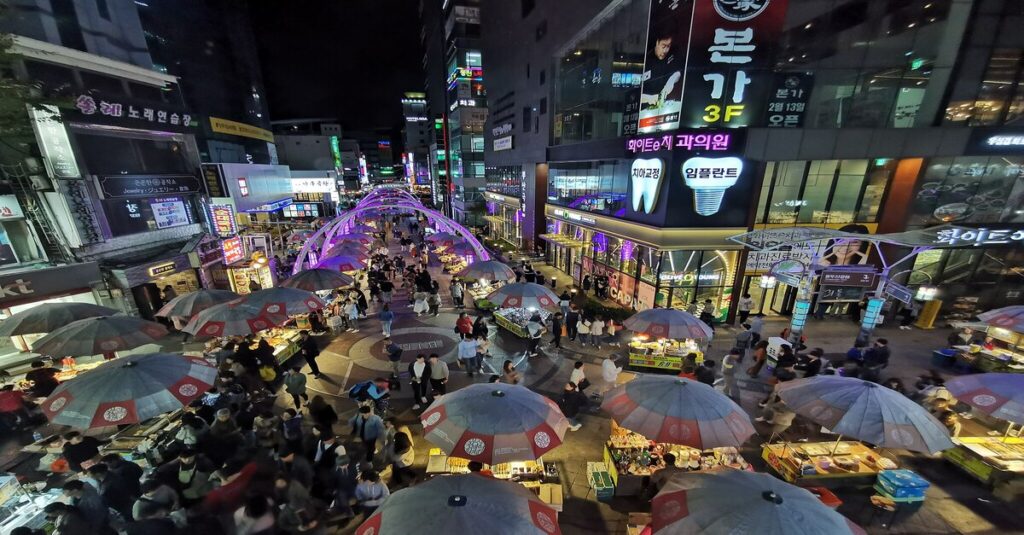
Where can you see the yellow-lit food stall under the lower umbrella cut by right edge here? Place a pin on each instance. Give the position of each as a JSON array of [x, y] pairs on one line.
[[997, 462]]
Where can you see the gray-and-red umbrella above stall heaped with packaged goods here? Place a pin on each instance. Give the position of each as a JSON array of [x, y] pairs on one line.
[[675, 410]]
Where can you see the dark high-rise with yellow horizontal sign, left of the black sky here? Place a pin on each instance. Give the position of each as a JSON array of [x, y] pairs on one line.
[[210, 47]]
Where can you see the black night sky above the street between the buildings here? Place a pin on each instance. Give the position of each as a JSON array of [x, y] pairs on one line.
[[346, 59]]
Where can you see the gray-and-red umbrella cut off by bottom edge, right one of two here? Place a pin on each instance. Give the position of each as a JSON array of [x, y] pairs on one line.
[[730, 502]]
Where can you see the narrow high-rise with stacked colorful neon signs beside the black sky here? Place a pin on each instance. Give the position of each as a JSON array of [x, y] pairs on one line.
[[464, 112]]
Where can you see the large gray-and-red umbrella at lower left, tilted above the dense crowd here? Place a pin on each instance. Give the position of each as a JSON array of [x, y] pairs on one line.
[[130, 390]]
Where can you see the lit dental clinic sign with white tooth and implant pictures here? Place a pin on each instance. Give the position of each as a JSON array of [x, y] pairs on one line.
[[699, 174]]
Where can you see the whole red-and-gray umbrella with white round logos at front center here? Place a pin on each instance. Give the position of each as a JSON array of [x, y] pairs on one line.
[[495, 424]]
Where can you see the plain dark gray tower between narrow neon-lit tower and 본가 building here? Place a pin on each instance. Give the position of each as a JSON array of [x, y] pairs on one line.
[[520, 51]]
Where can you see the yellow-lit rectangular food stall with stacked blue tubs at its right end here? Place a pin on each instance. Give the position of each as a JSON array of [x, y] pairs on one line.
[[826, 464]]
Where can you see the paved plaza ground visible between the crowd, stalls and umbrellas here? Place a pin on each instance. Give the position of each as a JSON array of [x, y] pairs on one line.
[[956, 504]]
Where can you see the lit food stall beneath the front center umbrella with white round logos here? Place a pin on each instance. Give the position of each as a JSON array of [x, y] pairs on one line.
[[539, 477]]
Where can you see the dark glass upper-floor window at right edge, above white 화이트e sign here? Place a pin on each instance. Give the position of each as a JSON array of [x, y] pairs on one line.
[[970, 190]]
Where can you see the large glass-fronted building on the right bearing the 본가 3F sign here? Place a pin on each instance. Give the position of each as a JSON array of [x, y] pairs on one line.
[[872, 117]]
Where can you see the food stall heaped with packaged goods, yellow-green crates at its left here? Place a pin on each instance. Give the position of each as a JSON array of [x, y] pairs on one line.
[[630, 458]]
